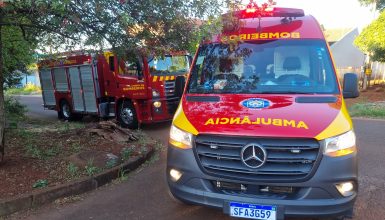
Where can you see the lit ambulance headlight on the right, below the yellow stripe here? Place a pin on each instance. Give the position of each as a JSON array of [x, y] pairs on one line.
[[341, 145]]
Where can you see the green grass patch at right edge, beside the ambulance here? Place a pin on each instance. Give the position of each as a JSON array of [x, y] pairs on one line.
[[368, 110]]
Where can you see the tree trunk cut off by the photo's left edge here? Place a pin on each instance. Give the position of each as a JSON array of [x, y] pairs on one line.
[[2, 113]]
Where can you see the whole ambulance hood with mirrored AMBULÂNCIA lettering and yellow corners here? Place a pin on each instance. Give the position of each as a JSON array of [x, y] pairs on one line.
[[265, 115]]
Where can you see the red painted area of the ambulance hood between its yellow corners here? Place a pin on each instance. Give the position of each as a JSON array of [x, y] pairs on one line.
[[282, 107]]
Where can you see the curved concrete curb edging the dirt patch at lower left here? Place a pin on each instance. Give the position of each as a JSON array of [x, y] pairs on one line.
[[86, 184]]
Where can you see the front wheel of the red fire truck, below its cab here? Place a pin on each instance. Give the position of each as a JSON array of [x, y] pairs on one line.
[[127, 115]]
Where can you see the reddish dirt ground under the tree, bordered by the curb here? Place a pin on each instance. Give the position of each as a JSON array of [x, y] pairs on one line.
[[49, 152]]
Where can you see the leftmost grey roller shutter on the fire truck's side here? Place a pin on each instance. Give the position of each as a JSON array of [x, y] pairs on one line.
[[47, 87]]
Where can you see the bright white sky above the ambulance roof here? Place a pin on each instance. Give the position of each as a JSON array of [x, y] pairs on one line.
[[332, 13]]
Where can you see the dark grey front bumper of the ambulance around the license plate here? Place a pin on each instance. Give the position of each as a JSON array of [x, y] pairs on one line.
[[316, 197]]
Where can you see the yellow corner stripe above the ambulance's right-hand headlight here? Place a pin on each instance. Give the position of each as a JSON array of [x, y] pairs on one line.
[[341, 124]]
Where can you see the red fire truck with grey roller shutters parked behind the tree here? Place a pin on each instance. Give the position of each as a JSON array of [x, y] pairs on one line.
[[135, 90]]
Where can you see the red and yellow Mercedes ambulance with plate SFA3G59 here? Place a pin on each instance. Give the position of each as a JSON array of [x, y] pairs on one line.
[[262, 130]]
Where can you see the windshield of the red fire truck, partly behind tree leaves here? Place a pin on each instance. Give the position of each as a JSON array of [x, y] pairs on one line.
[[169, 65]]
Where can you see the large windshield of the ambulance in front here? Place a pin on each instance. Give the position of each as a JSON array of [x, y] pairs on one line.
[[255, 67]]
